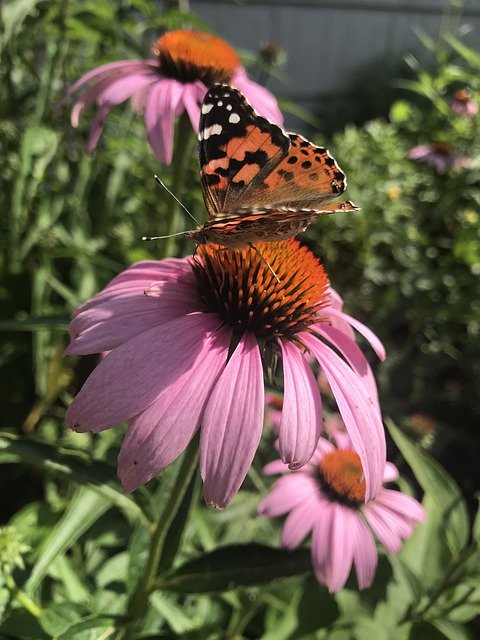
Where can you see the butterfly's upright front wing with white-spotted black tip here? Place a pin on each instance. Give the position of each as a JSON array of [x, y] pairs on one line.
[[237, 150]]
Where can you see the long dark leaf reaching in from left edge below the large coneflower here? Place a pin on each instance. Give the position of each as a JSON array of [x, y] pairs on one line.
[[98, 476]]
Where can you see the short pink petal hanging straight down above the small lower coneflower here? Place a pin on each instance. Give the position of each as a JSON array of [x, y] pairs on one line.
[[301, 422]]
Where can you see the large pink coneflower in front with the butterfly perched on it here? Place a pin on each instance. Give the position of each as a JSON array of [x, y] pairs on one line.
[[187, 341]]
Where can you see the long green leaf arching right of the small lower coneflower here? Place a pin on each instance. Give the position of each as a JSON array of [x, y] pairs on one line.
[[449, 507]]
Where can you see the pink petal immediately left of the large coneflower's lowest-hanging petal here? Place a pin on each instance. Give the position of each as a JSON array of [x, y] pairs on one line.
[[161, 432]]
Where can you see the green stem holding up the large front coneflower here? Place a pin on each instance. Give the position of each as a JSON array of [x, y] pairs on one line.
[[139, 601]]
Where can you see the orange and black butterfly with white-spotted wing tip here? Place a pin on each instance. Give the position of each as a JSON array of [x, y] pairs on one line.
[[259, 183]]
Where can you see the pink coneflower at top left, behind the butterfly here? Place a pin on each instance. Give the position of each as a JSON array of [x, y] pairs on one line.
[[176, 80]]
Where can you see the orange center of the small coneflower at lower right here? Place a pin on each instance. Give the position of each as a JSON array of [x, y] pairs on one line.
[[342, 477]]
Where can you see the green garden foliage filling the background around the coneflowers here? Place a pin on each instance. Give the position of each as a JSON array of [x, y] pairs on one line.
[[76, 546]]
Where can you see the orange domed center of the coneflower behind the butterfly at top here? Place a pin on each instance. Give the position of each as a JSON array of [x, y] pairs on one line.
[[188, 55]]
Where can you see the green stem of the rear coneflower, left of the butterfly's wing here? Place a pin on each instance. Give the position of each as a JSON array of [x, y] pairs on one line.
[[183, 144]]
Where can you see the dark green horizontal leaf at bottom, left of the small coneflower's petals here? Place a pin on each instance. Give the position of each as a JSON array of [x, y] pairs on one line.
[[237, 565]]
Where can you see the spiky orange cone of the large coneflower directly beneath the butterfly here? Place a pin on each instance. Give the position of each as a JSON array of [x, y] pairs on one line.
[[240, 287]]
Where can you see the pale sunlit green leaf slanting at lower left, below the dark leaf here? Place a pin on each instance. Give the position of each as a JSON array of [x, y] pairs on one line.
[[84, 509]]
